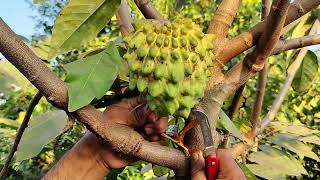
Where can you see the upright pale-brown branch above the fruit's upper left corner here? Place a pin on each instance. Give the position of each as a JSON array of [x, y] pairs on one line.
[[124, 19]]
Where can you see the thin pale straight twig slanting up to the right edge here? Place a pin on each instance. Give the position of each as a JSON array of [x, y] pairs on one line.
[[293, 68]]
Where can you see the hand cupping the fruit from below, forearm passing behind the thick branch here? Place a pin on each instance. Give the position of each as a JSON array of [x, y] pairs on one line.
[[133, 113]]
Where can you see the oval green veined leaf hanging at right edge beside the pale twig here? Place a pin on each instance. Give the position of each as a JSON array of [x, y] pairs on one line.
[[306, 73]]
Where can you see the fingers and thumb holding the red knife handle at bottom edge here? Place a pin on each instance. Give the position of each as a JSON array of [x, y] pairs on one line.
[[228, 168]]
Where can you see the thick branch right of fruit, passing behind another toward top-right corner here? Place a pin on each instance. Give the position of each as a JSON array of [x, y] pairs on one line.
[[248, 39]]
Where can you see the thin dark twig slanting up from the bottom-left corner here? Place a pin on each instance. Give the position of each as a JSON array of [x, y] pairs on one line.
[[20, 132]]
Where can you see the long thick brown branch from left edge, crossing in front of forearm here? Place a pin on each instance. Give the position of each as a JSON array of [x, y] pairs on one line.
[[122, 138]]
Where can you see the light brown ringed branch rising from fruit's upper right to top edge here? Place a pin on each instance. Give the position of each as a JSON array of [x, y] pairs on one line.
[[223, 18]]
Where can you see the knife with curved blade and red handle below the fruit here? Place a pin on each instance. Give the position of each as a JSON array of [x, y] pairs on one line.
[[212, 162]]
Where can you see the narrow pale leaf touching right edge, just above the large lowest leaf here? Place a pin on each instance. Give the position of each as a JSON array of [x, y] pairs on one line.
[[291, 143]]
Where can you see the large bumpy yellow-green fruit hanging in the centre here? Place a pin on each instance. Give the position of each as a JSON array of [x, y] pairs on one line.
[[169, 64]]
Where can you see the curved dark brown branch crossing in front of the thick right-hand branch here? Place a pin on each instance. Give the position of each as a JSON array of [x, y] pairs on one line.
[[254, 61]]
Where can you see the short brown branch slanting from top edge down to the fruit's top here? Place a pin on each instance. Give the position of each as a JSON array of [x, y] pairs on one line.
[[148, 10]]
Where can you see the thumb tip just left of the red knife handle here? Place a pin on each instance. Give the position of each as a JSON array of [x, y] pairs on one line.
[[198, 166]]
